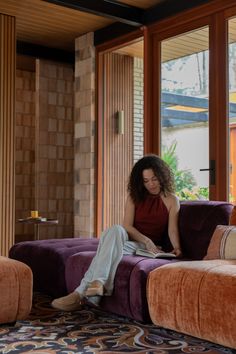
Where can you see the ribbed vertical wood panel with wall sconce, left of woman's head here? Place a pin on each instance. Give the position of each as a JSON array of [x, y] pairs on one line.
[[118, 148]]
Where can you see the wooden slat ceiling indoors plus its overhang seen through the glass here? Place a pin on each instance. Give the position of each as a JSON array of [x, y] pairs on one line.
[[41, 23]]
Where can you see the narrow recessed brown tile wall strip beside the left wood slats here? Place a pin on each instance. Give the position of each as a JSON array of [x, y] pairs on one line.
[[25, 151]]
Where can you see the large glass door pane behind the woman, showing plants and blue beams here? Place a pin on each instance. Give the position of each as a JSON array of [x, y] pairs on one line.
[[184, 111]]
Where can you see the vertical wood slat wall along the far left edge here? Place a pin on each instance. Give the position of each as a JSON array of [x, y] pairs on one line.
[[7, 120]]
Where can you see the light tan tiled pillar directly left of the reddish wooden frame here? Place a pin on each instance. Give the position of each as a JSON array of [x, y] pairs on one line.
[[84, 191]]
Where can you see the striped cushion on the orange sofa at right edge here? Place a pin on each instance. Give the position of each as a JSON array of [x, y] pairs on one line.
[[223, 243]]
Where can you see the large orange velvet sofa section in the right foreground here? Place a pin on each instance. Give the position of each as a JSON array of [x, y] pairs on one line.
[[197, 298]]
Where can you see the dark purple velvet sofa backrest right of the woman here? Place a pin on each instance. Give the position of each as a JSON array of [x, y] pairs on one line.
[[197, 222]]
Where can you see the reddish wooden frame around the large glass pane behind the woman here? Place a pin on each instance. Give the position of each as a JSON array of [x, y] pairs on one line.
[[210, 15]]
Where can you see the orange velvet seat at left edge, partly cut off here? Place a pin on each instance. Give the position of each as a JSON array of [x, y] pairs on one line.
[[16, 284]]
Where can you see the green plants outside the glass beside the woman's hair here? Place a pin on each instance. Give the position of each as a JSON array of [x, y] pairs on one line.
[[185, 182]]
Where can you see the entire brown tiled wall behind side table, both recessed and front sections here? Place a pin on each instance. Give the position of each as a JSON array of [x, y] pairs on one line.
[[45, 148]]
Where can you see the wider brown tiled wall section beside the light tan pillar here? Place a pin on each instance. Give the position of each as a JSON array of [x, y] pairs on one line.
[[55, 147]]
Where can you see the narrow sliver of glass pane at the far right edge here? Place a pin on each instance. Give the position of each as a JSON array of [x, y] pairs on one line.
[[232, 108]]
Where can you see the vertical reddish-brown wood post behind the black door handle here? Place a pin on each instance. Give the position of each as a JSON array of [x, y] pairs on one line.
[[218, 109]]
